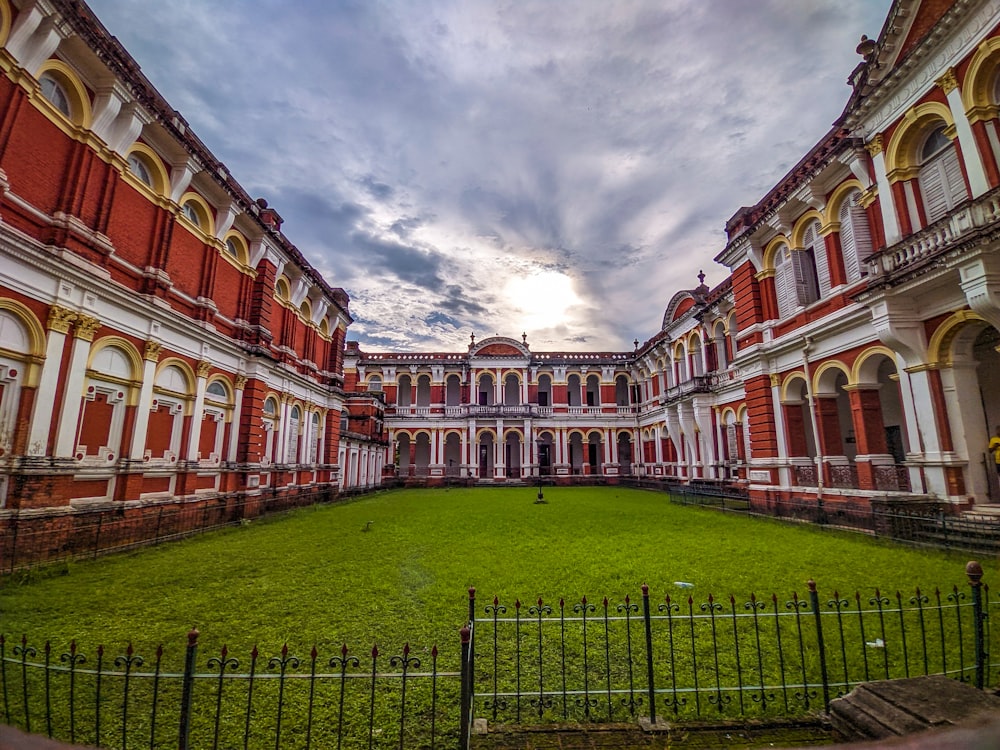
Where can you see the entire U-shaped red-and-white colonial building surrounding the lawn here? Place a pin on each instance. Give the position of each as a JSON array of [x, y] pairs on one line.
[[163, 341]]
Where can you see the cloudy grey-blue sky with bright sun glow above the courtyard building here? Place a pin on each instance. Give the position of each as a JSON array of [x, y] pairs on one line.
[[553, 167]]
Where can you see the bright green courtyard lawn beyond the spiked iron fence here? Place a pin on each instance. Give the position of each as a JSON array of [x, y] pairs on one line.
[[316, 577]]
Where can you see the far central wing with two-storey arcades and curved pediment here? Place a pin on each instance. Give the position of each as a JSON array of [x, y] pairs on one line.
[[500, 411]]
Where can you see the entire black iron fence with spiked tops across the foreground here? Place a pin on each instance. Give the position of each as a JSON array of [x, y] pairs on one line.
[[677, 656]]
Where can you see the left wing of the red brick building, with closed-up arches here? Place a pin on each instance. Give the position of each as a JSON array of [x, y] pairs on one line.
[[161, 339]]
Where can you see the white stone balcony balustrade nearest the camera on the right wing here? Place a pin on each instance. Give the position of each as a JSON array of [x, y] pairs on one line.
[[938, 238]]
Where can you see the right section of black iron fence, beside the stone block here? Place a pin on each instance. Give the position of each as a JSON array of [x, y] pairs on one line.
[[687, 657]]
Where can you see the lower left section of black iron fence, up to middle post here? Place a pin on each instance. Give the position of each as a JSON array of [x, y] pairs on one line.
[[229, 700]]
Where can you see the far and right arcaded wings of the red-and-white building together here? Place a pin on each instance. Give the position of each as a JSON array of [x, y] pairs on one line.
[[851, 355]]
